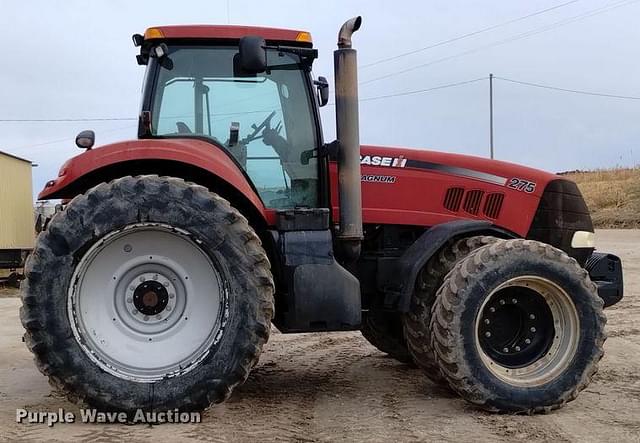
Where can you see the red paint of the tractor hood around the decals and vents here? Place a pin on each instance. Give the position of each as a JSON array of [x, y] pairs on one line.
[[416, 197]]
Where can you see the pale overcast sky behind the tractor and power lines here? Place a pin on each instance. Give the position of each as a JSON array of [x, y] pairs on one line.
[[75, 59]]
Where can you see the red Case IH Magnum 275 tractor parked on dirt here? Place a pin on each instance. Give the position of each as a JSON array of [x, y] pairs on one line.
[[157, 285]]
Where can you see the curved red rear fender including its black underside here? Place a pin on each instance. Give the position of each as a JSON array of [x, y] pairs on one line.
[[191, 159]]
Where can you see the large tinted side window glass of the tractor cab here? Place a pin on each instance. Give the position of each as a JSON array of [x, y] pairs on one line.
[[265, 122]]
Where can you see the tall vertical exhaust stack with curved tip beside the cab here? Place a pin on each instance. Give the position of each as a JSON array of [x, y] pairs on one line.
[[348, 134]]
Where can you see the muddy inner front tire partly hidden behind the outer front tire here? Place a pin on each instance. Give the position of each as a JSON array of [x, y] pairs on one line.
[[417, 322]]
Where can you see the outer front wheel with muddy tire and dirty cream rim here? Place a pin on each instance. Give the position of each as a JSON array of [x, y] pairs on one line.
[[518, 327]]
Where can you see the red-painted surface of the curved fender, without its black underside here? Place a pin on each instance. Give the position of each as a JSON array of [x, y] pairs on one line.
[[193, 152]]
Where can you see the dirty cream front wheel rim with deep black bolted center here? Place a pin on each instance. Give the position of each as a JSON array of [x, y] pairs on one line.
[[527, 331]]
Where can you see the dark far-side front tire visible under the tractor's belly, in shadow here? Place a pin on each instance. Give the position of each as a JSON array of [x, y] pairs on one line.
[[384, 331]]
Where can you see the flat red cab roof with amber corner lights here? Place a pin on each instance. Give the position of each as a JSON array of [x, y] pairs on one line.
[[226, 32]]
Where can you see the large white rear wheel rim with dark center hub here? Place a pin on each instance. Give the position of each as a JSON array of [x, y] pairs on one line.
[[147, 303]]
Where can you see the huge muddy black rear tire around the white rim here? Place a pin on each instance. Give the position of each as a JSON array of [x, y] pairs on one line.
[[224, 235]]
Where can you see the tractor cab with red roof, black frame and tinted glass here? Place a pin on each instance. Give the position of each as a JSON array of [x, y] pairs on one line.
[[253, 98]]
